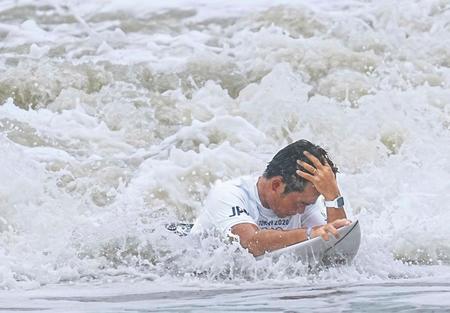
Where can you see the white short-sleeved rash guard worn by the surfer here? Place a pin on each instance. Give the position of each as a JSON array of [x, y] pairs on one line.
[[237, 201]]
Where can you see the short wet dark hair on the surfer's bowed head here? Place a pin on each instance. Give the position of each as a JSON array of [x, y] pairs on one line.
[[284, 164]]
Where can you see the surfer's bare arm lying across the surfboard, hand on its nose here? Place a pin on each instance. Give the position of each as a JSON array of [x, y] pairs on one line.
[[259, 241]]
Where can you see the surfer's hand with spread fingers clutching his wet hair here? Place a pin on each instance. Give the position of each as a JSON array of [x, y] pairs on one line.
[[321, 176]]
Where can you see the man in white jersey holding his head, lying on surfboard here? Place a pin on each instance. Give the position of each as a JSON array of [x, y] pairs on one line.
[[283, 206]]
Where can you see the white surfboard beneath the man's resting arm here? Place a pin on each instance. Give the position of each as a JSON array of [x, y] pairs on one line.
[[320, 252]]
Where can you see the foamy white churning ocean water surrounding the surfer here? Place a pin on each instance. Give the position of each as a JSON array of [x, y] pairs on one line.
[[116, 117]]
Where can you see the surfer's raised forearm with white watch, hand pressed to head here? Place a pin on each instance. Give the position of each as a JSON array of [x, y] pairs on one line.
[[324, 179]]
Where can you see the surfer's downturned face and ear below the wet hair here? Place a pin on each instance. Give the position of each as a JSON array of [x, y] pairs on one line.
[[293, 203]]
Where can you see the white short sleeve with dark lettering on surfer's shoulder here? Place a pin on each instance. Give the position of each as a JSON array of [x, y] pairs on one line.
[[226, 207]]
